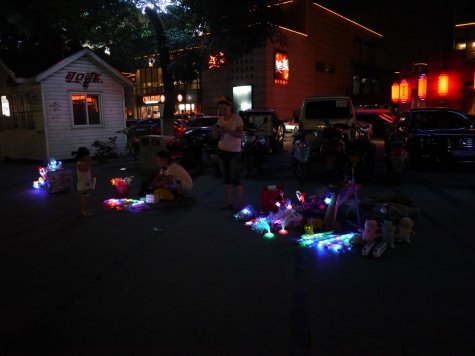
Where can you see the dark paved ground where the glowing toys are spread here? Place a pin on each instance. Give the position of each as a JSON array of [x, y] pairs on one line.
[[188, 279]]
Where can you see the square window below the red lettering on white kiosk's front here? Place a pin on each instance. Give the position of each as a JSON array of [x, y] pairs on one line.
[[86, 109]]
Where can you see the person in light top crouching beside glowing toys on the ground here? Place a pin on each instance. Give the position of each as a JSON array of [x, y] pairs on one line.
[[172, 181]]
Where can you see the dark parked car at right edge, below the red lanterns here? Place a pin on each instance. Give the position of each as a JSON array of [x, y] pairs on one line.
[[436, 134]]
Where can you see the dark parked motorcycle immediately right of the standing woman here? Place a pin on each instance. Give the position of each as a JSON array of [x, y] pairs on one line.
[[254, 148]]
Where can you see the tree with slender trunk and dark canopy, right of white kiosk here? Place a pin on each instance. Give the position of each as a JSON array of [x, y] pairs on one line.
[[191, 30]]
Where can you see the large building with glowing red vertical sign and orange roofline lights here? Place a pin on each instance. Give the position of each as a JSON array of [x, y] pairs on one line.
[[315, 52]]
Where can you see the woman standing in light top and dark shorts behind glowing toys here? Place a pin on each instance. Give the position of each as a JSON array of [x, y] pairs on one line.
[[229, 131]]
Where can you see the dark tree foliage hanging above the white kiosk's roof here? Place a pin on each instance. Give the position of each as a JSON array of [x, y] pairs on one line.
[[56, 29]]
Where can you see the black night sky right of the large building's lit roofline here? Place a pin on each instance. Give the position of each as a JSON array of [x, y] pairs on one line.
[[411, 29]]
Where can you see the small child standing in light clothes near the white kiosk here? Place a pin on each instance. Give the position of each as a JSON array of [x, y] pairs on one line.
[[85, 179]]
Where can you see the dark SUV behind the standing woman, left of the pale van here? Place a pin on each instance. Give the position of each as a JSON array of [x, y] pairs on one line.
[[276, 129]]
